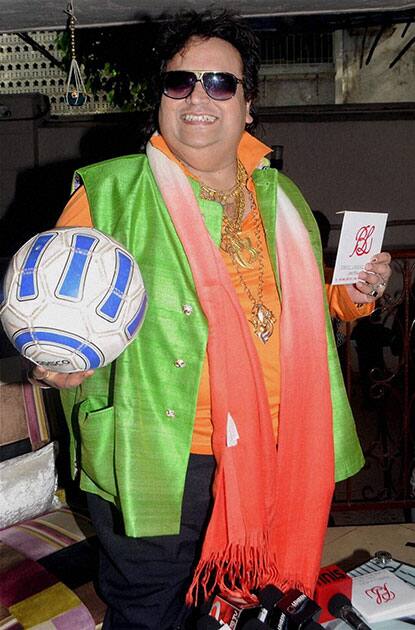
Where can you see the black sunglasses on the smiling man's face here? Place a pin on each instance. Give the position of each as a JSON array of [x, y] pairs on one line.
[[220, 86]]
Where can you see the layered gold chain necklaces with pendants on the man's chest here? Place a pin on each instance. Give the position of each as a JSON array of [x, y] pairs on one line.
[[243, 255]]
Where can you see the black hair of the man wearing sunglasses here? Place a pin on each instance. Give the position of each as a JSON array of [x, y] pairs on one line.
[[177, 31]]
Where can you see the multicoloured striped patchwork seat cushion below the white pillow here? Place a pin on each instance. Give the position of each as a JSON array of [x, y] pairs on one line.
[[47, 568]]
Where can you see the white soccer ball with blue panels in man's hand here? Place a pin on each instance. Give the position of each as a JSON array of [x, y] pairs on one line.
[[73, 299]]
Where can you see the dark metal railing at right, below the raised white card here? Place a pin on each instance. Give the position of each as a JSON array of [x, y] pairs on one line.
[[378, 358]]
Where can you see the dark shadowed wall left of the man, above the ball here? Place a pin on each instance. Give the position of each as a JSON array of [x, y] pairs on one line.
[[38, 158]]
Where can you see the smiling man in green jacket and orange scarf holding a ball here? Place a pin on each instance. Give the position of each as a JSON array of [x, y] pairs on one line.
[[235, 357]]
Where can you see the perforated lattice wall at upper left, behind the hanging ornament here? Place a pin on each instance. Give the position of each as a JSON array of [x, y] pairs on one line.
[[24, 70]]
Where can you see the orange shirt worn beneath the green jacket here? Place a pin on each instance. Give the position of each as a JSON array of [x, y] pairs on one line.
[[77, 213]]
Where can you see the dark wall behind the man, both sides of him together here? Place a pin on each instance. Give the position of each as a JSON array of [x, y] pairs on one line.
[[339, 165]]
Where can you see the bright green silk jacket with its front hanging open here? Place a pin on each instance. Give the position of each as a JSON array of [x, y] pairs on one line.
[[131, 423]]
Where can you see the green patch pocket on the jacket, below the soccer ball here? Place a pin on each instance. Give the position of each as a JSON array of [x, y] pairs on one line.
[[97, 446]]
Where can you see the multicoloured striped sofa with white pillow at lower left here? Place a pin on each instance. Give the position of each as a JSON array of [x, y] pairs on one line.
[[48, 560]]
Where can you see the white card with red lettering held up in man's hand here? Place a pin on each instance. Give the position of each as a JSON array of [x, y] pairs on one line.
[[361, 237]]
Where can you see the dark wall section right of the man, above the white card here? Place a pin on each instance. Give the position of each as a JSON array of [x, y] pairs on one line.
[[352, 165]]
